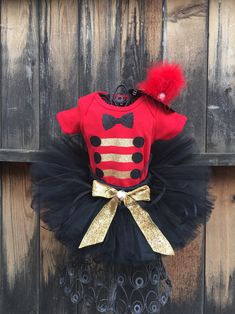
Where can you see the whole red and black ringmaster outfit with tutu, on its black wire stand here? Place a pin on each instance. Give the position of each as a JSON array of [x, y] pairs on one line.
[[119, 191]]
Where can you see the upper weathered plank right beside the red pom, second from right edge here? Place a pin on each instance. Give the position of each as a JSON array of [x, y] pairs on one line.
[[185, 42]]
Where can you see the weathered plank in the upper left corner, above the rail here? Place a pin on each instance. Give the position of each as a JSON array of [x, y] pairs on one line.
[[20, 66]]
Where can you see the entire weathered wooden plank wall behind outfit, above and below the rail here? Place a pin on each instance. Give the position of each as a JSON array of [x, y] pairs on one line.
[[52, 52]]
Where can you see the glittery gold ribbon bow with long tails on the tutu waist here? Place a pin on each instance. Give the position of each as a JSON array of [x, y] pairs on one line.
[[101, 223]]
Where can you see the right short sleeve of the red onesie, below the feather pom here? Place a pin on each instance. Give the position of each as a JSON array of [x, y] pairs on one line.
[[168, 123]]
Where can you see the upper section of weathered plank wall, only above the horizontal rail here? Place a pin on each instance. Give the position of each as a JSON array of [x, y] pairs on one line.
[[53, 52]]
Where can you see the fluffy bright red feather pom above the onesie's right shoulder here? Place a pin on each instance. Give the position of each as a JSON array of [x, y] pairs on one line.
[[164, 82]]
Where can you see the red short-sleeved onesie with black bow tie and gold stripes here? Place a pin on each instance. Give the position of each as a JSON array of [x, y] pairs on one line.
[[119, 139]]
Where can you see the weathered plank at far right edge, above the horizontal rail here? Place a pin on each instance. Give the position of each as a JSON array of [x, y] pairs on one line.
[[221, 68]]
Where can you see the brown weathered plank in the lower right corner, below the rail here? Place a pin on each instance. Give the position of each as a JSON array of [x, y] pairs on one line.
[[220, 246]]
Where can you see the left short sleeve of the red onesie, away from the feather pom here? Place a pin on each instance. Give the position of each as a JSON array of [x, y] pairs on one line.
[[70, 120]]
